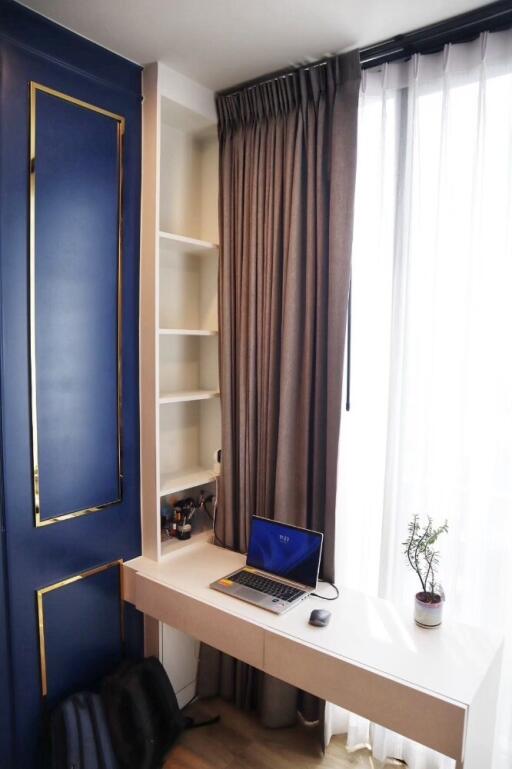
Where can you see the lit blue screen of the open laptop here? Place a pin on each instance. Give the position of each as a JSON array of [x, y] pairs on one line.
[[285, 551]]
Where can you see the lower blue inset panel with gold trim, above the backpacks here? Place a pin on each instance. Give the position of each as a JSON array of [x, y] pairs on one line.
[[90, 644]]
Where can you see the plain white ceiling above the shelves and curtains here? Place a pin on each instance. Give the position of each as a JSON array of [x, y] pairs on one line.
[[223, 42]]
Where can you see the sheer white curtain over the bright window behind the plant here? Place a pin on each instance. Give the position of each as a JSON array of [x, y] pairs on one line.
[[430, 425]]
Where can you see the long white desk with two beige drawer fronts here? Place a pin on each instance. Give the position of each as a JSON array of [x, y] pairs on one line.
[[438, 687]]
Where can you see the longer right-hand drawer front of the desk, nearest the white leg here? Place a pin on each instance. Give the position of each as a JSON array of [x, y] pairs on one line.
[[419, 715]]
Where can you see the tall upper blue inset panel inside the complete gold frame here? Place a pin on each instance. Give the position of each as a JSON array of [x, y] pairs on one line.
[[76, 202]]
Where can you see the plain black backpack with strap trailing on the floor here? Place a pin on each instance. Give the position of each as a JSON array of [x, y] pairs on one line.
[[143, 714]]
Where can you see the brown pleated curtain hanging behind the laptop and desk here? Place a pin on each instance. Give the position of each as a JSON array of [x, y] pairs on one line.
[[287, 175]]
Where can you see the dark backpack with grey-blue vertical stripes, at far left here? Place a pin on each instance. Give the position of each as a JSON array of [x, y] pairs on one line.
[[80, 737]]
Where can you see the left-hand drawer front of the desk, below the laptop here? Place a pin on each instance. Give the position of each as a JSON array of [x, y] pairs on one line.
[[222, 630]]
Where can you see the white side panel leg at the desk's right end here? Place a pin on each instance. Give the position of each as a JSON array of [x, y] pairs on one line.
[[481, 720]]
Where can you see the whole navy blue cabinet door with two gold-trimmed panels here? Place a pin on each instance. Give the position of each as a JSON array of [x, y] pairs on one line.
[[69, 256]]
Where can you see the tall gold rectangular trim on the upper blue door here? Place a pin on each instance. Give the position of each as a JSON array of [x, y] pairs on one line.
[[121, 125]]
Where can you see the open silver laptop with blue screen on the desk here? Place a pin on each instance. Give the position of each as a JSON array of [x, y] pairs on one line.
[[281, 568]]
